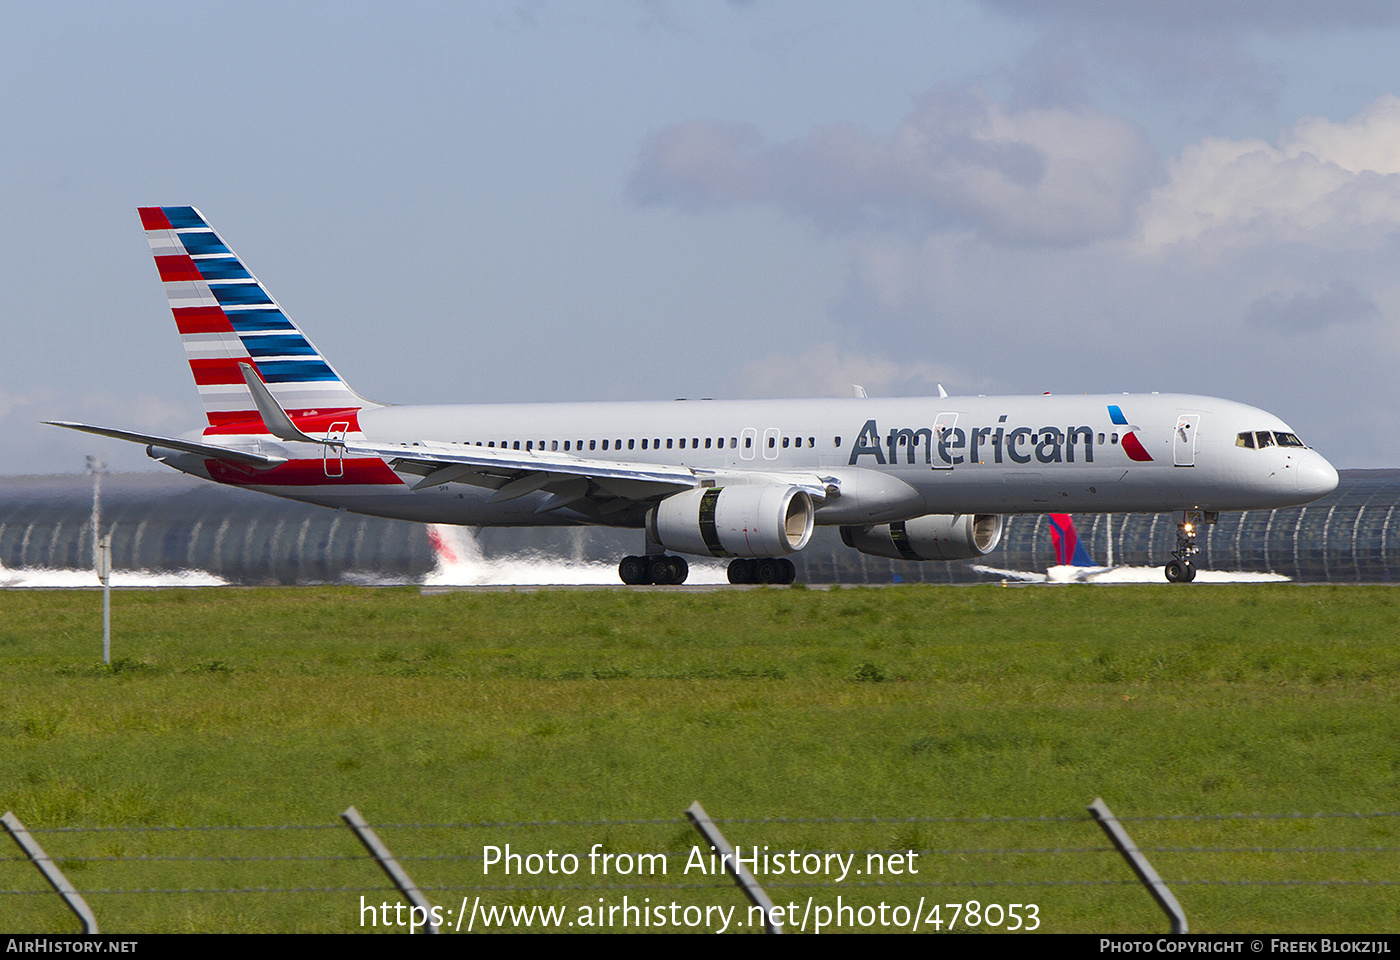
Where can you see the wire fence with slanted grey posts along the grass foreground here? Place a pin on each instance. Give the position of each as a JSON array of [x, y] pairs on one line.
[[1241, 871]]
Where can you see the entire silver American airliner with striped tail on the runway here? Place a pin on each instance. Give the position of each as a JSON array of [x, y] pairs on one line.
[[748, 481]]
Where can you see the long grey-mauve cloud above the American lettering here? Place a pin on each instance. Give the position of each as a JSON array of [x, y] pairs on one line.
[[961, 162]]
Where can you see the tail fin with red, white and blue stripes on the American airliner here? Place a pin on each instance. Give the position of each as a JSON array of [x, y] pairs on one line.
[[226, 317]]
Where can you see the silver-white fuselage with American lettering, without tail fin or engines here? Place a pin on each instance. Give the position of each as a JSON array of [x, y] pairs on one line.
[[890, 460]]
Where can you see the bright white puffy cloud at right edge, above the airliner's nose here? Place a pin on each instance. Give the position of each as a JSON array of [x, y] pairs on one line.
[[1324, 184]]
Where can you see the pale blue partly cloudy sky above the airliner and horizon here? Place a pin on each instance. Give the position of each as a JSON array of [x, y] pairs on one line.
[[652, 199]]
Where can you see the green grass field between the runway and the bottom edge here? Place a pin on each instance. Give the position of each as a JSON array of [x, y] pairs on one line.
[[269, 707]]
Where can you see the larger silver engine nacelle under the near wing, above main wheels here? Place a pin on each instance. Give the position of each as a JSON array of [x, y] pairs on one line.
[[761, 520]]
